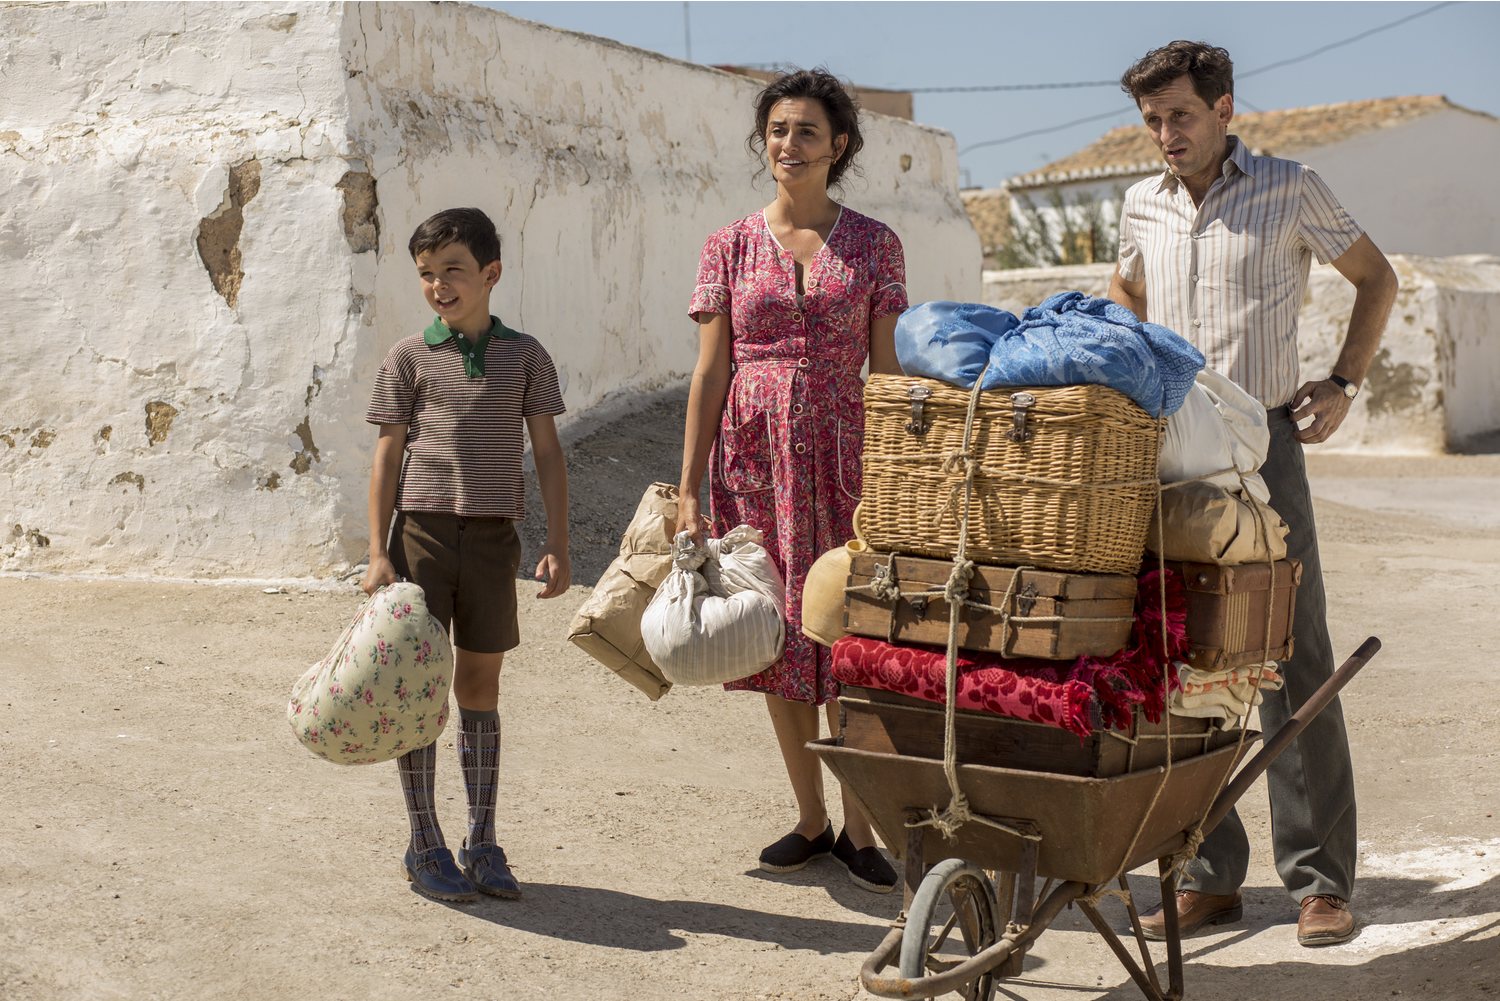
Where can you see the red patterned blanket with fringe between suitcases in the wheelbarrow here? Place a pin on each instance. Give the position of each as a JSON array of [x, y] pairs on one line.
[[1055, 693]]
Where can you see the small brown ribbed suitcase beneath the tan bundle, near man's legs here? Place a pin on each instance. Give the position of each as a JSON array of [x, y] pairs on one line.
[[1228, 612]]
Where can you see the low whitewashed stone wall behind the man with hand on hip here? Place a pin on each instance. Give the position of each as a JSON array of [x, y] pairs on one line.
[[1432, 386]]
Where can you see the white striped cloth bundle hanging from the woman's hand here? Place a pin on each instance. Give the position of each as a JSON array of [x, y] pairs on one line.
[[721, 613]]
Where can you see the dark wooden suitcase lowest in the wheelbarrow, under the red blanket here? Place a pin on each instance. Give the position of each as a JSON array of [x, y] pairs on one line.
[[898, 724]]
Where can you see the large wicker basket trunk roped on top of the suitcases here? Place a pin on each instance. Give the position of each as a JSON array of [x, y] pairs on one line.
[[1064, 478]]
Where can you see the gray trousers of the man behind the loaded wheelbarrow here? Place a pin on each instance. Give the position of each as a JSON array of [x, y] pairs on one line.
[[1313, 783]]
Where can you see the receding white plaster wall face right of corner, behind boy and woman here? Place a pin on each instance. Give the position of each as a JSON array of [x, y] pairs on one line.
[[604, 179]]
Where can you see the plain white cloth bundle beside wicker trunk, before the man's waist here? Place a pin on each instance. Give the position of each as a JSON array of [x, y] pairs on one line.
[[1220, 433]]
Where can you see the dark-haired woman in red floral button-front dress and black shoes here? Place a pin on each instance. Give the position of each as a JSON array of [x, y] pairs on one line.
[[790, 304]]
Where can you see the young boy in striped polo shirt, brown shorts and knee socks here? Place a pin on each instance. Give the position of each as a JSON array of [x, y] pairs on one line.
[[451, 404]]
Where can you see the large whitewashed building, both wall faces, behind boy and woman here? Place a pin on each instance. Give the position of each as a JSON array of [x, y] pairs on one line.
[[203, 253]]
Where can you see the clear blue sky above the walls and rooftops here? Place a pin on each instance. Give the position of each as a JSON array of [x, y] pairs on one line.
[[1453, 50]]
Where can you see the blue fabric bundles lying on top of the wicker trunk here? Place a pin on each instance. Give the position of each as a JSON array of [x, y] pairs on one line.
[[1070, 340]]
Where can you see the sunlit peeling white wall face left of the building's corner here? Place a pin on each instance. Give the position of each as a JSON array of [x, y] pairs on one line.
[[175, 274]]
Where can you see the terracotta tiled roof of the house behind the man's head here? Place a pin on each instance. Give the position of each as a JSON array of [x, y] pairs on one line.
[[1129, 149]]
